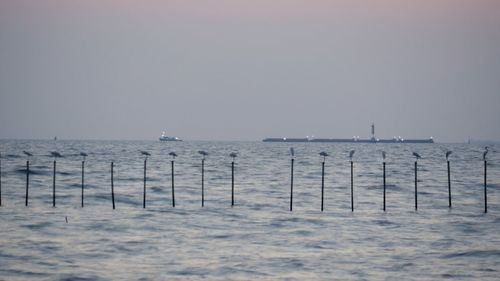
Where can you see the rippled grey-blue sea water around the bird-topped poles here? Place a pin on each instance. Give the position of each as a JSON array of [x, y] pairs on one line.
[[259, 238]]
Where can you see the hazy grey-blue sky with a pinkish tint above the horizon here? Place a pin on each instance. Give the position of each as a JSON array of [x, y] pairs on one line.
[[249, 69]]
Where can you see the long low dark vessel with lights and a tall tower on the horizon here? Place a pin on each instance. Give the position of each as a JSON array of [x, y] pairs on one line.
[[352, 140]]
